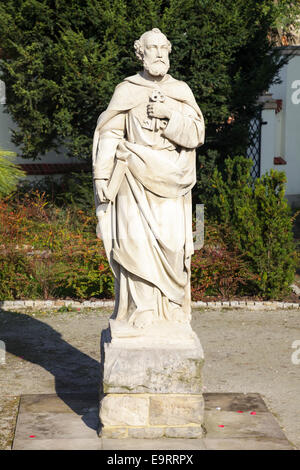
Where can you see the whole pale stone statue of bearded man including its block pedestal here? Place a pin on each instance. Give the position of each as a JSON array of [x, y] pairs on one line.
[[144, 170]]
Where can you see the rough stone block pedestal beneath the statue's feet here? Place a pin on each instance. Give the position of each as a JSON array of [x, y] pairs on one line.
[[152, 382]]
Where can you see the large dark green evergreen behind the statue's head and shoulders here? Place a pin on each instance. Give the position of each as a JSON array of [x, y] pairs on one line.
[[61, 60]]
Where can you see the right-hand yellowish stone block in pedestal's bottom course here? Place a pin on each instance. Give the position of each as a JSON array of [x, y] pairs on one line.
[[175, 411]]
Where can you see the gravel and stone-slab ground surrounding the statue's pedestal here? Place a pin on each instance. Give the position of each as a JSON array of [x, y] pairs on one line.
[[248, 353]]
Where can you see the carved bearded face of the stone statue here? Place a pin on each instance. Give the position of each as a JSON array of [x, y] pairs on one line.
[[156, 54]]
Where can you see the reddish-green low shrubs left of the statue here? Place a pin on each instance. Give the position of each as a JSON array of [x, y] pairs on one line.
[[47, 251]]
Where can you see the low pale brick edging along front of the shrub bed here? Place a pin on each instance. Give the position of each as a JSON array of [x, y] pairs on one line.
[[47, 304]]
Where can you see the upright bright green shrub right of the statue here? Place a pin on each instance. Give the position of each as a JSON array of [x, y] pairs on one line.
[[260, 224]]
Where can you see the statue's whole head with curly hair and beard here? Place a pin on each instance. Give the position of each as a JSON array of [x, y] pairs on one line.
[[153, 50]]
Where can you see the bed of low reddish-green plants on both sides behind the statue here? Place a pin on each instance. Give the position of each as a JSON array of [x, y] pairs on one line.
[[51, 252]]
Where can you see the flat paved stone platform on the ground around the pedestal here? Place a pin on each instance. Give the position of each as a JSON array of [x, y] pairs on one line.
[[70, 422]]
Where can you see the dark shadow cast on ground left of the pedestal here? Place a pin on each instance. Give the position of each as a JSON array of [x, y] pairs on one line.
[[75, 373]]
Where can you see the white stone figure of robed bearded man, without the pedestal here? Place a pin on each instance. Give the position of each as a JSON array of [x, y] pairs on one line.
[[152, 127]]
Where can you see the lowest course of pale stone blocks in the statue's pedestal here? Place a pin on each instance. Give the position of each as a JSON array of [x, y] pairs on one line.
[[152, 416]]
